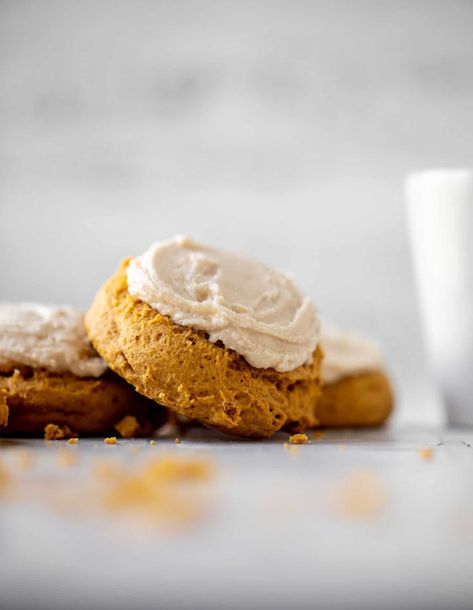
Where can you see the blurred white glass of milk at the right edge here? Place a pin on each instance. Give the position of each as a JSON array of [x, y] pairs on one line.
[[440, 218]]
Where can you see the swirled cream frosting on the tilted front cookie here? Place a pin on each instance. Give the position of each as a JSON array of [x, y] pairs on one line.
[[253, 309]]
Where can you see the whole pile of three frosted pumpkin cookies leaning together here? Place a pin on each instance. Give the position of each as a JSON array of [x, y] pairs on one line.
[[216, 337]]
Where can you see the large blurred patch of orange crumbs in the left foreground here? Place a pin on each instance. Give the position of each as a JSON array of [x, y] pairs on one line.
[[167, 492]]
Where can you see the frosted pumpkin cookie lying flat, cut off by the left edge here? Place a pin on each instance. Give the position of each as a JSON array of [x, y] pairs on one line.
[[50, 374]]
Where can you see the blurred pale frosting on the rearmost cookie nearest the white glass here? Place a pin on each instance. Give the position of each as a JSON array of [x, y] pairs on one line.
[[347, 354]]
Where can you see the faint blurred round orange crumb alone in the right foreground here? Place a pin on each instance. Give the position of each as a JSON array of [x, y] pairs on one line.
[[361, 495]]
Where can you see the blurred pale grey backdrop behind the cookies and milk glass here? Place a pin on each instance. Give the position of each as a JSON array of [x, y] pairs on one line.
[[282, 129]]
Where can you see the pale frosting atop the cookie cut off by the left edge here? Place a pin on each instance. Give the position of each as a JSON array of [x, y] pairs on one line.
[[52, 338]]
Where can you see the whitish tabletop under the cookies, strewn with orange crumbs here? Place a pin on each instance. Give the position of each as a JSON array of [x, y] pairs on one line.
[[271, 537]]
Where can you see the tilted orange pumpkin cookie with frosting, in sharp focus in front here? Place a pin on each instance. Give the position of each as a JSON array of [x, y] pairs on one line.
[[216, 337]]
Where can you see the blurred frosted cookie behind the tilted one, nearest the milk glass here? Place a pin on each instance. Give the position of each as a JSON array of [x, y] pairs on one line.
[[356, 390]]
